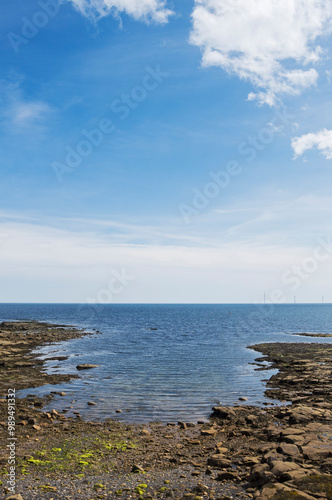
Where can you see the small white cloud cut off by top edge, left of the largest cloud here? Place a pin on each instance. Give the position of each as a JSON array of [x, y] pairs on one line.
[[144, 10]]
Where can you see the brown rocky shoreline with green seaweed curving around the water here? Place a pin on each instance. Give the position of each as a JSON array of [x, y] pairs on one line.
[[282, 452]]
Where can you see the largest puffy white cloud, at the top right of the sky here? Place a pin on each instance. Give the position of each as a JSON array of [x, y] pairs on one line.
[[270, 43]]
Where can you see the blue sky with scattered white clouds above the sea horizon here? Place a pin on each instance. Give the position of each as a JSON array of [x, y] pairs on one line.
[[116, 119]]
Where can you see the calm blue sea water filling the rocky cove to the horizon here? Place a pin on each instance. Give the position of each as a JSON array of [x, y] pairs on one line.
[[166, 362]]
